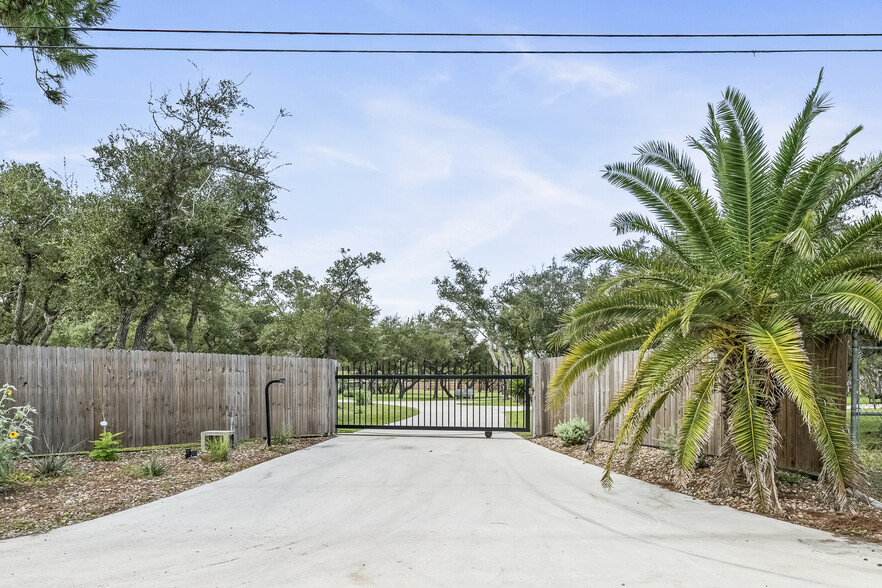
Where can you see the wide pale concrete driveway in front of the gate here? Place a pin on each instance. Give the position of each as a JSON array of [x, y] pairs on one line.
[[432, 510]]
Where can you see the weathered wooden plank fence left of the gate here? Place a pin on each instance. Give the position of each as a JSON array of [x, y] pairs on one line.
[[160, 398]]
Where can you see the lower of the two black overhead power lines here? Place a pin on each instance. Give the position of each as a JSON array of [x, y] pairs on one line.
[[448, 51]]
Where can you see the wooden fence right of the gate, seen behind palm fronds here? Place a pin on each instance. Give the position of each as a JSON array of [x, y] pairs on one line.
[[590, 396]]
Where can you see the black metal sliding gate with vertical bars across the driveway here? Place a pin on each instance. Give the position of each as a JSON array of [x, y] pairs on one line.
[[445, 399]]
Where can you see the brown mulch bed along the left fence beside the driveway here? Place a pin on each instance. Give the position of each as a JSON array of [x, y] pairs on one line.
[[87, 490]]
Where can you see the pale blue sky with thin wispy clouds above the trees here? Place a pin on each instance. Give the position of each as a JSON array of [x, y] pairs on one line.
[[493, 158]]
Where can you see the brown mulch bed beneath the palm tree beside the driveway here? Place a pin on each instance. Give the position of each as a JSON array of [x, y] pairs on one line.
[[800, 496]]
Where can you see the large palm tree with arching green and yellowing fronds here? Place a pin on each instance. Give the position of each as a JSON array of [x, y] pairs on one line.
[[741, 275]]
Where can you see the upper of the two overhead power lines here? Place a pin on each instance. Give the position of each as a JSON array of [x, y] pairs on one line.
[[443, 34]]
